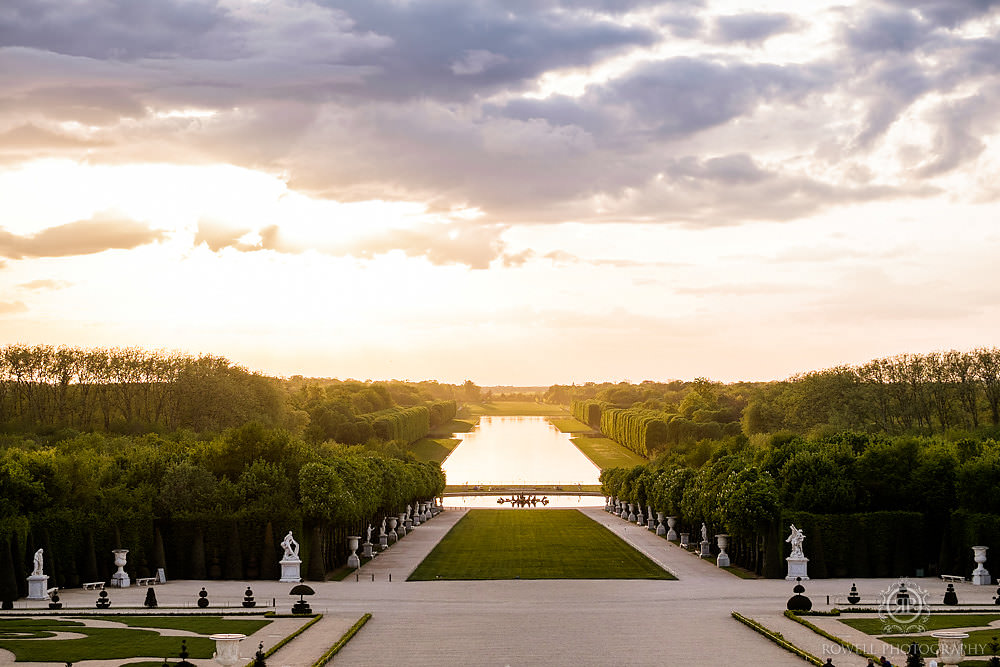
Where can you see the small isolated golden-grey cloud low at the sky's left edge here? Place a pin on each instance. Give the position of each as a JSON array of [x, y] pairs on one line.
[[83, 237]]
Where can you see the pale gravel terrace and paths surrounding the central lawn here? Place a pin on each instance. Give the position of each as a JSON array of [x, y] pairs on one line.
[[550, 622]]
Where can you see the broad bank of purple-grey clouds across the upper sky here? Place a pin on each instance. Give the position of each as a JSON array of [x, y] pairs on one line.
[[425, 101]]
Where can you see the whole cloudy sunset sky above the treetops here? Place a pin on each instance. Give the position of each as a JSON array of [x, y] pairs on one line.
[[519, 192]]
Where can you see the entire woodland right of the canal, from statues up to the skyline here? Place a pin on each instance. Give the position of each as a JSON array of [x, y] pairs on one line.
[[890, 467]]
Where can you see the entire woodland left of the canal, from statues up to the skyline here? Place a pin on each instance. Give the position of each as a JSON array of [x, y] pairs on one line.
[[196, 464]]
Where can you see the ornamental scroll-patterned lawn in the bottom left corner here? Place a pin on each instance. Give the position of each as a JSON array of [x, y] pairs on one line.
[[116, 643]]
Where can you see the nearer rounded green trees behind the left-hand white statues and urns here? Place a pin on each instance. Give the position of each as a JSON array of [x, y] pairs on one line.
[[201, 507]]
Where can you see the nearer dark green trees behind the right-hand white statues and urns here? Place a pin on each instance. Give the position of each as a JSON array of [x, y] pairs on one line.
[[871, 505]]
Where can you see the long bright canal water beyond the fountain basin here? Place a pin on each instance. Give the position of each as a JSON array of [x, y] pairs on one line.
[[520, 451]]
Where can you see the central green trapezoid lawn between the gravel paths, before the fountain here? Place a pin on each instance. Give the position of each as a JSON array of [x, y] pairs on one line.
[[534, 544]]
